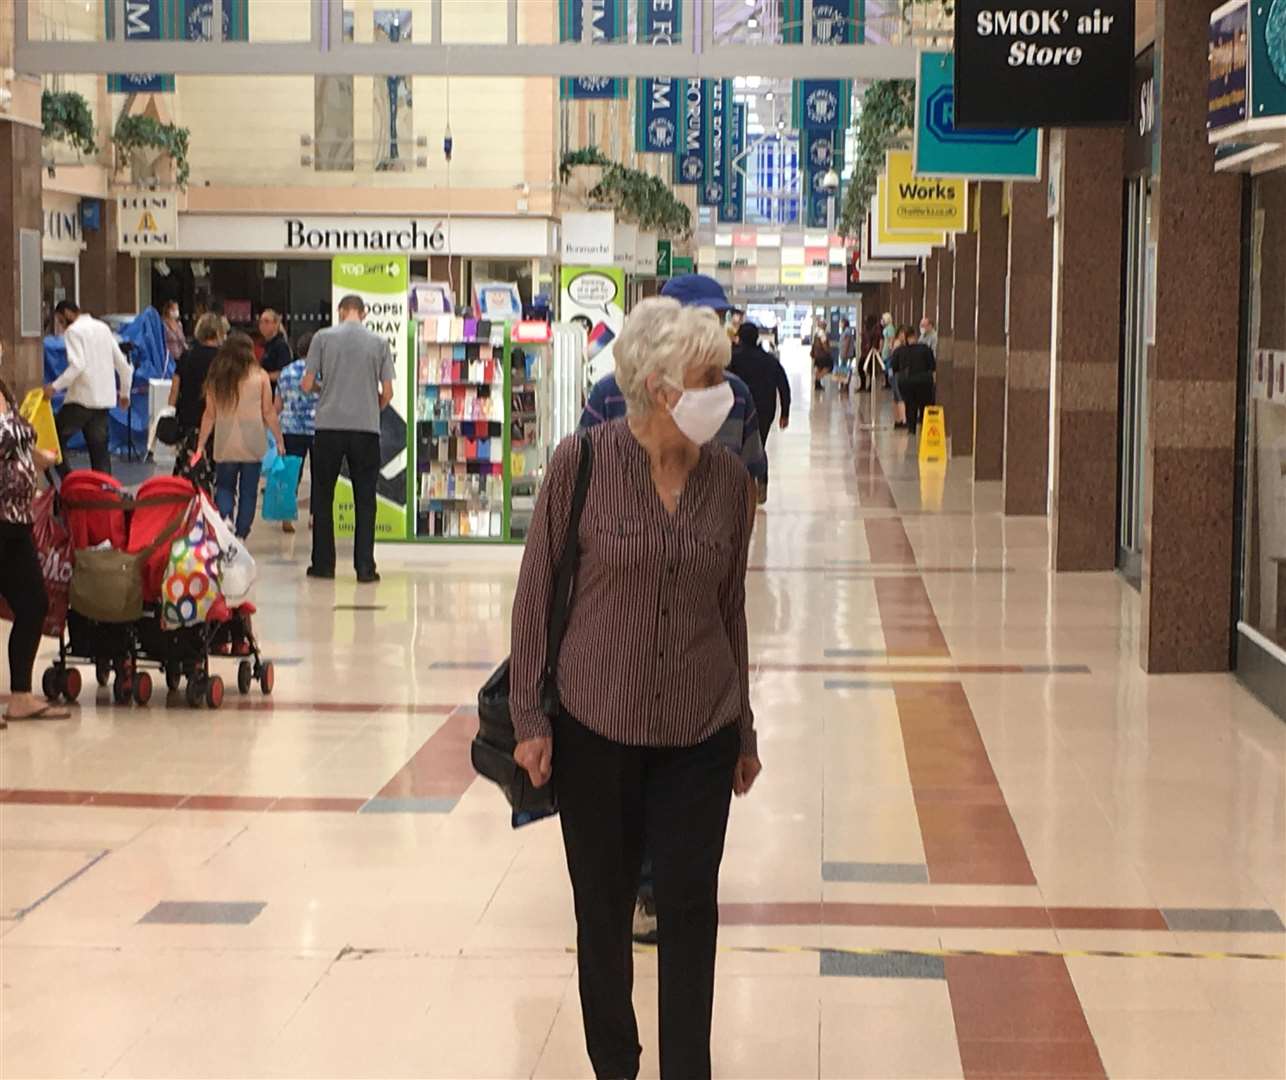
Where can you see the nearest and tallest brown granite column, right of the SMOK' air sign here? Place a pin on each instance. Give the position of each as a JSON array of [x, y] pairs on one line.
[[1190, 465]]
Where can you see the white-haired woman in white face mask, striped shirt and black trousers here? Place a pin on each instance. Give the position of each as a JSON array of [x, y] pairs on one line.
[[654, 731]]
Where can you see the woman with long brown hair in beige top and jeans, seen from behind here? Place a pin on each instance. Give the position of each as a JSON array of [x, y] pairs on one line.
[[240, 413]]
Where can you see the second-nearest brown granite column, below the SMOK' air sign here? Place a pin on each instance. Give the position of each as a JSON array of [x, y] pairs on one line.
[[1087, 349]]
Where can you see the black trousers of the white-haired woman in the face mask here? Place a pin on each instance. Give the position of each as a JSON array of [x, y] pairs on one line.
[[614, 800]]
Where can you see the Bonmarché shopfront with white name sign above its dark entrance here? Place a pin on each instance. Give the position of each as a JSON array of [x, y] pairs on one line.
[[244, 263]]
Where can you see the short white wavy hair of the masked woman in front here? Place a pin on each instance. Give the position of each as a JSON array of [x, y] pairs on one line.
[[664, 337]]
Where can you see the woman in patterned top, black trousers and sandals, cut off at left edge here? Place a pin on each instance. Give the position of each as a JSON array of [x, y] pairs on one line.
[[23, 582]]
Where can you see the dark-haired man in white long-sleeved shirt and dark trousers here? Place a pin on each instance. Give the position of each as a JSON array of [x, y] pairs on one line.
[[95, 361]]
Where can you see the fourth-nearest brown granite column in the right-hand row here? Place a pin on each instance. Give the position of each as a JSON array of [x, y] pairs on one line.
[[993, 258]]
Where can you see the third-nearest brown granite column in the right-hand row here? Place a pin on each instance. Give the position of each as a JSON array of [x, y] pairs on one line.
[[1027, 402]]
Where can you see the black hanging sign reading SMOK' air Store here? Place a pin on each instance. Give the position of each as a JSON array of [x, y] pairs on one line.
[[1058, 64]]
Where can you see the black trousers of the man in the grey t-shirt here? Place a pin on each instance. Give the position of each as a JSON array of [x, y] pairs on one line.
[[331, 452]]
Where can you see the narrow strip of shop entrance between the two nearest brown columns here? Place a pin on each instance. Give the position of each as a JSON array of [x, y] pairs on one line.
[[1140, 335]]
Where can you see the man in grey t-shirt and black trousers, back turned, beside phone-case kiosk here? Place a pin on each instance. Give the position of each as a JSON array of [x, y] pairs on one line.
[[353, 370]]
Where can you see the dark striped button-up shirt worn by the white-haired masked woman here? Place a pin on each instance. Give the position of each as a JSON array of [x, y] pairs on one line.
[[655, 651]]
